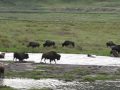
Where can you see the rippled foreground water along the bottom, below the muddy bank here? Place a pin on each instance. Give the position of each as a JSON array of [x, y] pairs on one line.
[[60, 85]]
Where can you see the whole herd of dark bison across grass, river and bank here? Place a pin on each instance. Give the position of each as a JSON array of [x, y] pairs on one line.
[[52, 55]]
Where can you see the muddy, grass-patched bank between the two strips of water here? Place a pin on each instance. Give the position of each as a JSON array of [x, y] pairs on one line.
[[61, 71]]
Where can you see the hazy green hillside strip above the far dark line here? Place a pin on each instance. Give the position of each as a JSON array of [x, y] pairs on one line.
[[61, 5]]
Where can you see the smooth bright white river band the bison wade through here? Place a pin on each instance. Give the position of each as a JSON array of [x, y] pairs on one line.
[[75, 59]]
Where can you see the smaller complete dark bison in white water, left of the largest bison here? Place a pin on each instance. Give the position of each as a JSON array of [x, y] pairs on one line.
[[20, 56]]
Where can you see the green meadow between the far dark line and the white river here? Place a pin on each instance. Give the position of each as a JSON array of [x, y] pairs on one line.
[[89, 31]]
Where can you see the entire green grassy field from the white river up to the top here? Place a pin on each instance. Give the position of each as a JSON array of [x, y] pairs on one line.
[[90, 26]]
